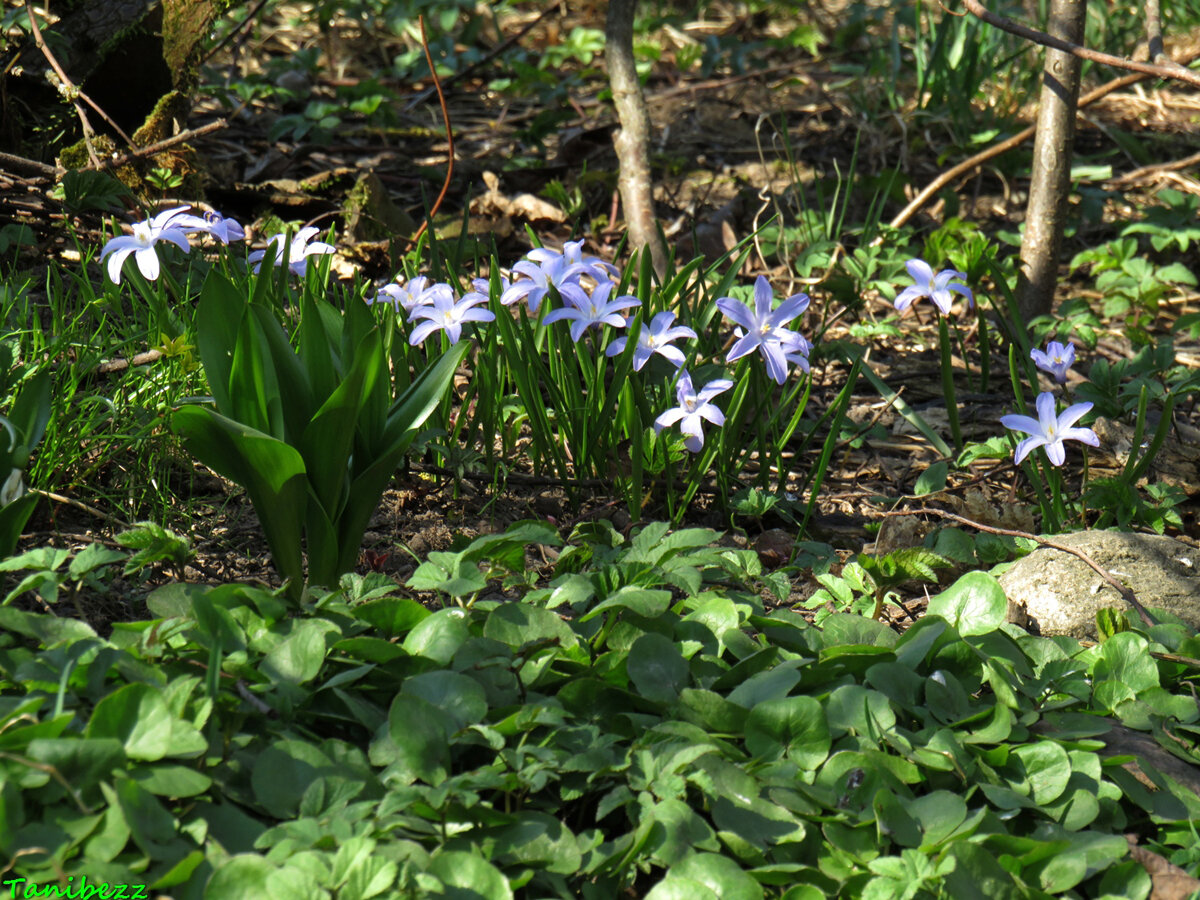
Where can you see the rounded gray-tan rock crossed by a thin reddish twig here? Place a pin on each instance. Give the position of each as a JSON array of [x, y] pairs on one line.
[[1055, 593]]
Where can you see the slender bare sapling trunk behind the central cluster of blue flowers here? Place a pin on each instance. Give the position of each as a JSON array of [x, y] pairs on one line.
[[633, 140]]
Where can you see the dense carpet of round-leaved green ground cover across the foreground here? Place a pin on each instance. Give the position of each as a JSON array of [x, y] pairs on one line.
[[625, 719]]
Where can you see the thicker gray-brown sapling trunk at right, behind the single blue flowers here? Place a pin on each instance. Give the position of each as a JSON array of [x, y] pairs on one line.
[[1051, 185]]
